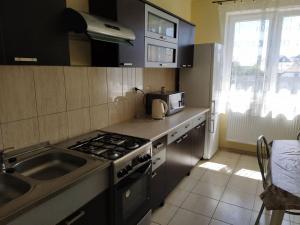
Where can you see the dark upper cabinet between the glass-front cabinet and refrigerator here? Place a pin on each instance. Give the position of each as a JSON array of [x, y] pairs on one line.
[[185, 44]]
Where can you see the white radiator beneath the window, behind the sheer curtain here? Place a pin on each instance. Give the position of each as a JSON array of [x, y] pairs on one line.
[[245, 128]]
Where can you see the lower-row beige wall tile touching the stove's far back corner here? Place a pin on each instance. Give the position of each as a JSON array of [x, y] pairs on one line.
[[99, 116]]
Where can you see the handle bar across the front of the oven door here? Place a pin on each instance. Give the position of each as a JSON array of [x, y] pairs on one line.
[[136, 175]]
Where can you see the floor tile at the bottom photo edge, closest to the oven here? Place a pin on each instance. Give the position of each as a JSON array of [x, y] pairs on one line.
[[163, 215]]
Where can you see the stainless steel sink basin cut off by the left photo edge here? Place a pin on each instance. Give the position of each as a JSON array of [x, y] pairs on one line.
[[11, 188]]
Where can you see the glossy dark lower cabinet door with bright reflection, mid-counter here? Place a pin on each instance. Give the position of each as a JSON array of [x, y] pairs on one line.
[[179, 160]]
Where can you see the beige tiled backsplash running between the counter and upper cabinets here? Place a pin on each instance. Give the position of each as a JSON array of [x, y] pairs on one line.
[[53, 103]]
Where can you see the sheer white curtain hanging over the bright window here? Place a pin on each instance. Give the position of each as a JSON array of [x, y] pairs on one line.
[[261, 86]]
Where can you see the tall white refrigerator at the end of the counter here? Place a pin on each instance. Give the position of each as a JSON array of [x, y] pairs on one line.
[[202, 87]]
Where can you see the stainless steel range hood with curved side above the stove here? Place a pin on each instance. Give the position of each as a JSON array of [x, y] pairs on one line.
[[97, 28]]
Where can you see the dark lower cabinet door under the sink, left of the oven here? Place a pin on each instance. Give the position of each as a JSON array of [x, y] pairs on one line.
[[95, 212]]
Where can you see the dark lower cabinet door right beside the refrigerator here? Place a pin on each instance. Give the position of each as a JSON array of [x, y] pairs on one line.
[[198, 142]]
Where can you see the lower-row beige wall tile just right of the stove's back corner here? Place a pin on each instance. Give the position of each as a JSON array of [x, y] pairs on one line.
[[116, 111]]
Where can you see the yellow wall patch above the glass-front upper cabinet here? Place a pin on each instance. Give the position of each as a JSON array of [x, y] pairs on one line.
[[182, 8]]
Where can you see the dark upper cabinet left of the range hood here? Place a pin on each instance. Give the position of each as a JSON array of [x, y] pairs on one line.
[[31, 33]]
